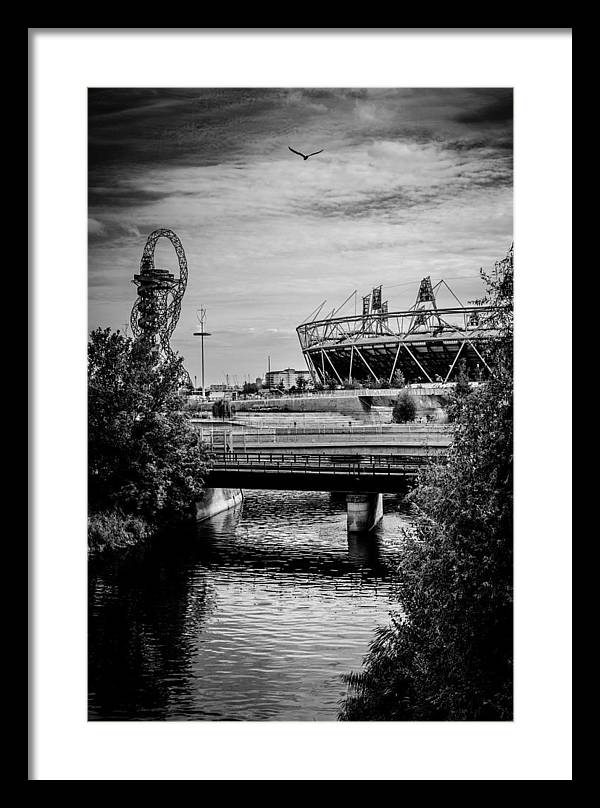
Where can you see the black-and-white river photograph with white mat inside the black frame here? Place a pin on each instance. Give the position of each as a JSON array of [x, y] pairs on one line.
[[281, 509]]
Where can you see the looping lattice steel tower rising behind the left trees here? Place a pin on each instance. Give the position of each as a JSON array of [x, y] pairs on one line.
[[156, 311]]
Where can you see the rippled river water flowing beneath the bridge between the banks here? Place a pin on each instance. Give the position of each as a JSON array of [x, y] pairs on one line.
[[252, 615]]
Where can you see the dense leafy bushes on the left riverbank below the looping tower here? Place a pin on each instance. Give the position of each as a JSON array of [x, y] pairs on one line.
[[145, 460]]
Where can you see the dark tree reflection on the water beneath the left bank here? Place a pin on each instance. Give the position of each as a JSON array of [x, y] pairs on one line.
[[145, 613]]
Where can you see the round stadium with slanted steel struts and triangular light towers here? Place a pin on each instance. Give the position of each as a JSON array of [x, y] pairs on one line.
[[425, 343]]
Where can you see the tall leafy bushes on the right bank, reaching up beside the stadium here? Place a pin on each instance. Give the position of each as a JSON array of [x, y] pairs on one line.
[[447, 652]]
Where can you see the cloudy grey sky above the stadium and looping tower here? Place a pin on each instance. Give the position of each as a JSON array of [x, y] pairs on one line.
[[412, 182]]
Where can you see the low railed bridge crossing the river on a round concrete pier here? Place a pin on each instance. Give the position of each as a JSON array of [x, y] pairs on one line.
[[362, 463]]
